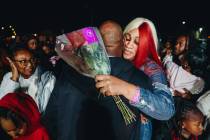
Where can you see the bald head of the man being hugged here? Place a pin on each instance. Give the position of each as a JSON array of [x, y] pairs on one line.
[[112, 35]]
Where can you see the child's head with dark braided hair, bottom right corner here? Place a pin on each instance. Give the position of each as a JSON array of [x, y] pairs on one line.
[[188, 122]]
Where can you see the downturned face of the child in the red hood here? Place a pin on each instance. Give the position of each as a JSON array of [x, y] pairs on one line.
[[10, 128]]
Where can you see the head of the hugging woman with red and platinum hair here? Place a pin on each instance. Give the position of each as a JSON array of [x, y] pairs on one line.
[[141, 42]]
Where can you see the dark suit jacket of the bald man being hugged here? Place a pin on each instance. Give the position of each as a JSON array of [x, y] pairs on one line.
[[76, 112]]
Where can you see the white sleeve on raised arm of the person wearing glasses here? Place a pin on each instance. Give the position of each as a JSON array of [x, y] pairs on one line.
[[8, 85]]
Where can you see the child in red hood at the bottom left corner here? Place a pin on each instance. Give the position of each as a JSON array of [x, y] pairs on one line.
[[20, 118]]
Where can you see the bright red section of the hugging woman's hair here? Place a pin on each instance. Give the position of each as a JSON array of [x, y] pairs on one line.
[[146, 46]]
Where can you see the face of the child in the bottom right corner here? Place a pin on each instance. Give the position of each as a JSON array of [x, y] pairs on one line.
[[193, 124]]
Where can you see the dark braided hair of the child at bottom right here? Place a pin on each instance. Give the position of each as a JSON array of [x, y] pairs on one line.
[[183, 108]]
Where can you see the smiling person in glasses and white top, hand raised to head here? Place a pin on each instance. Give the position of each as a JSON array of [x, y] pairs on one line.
[[28, 77]]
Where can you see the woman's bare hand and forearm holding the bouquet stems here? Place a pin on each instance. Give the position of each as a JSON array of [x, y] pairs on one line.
[[111, 85]]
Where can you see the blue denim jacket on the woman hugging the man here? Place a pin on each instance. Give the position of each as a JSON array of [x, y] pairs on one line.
[[158, 103]]
